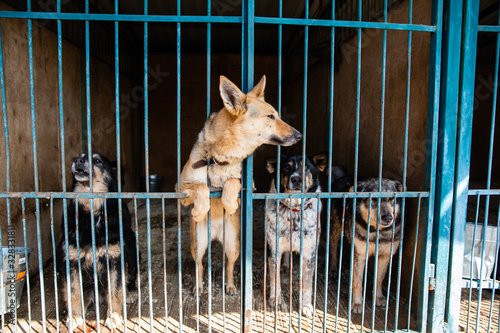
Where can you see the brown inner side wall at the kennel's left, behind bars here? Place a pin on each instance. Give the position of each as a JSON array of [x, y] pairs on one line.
[[46, 100]]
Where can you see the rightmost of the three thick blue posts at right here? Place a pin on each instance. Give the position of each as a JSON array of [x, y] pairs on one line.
[[466, 107]]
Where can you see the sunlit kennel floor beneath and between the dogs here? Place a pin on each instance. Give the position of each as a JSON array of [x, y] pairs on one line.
[[166, 303]]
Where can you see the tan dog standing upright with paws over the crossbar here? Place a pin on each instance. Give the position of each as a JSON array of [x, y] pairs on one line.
[[227, 138]]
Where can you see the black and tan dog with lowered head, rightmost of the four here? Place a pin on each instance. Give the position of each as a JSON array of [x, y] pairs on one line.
[[367, 213]]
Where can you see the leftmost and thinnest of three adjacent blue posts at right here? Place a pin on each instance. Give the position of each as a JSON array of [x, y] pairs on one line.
[[431, 162]]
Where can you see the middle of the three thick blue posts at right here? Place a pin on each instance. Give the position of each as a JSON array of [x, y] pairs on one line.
[[446, 158]]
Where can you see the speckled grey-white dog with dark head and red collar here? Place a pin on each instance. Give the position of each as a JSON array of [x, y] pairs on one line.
[[293, 218]]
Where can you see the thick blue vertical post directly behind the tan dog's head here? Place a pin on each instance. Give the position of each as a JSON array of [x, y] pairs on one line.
[[247, 57]]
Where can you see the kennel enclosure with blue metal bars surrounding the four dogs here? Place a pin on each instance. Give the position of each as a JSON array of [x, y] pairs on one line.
[[398, 89]]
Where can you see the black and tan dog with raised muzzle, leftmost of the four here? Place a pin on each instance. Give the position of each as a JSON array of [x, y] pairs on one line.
[[78, 240]]
